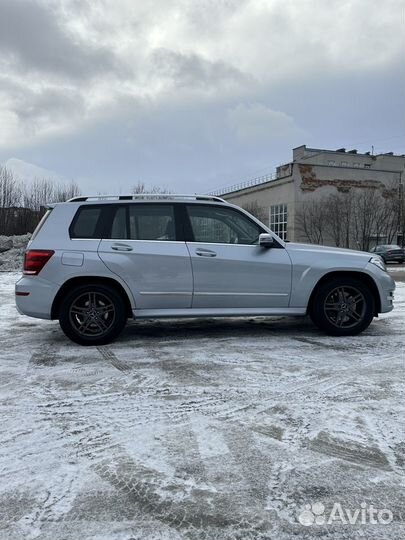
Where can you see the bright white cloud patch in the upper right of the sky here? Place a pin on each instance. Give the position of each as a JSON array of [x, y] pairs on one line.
[[279, 40]]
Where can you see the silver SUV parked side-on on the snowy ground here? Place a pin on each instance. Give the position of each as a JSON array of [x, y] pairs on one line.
[[94, 262]]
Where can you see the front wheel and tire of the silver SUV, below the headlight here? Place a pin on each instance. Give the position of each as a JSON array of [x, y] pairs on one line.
[[336, 311]]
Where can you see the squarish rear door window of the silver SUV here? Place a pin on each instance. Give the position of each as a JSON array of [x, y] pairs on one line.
[[151, 222]]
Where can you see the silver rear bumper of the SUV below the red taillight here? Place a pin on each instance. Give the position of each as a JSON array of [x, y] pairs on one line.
[[38, 299]]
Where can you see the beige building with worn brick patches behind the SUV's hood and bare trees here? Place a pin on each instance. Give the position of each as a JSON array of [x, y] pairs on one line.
[[313, 175]]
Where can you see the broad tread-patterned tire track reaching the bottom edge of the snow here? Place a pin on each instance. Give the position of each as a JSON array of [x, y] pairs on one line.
[[189, 508]]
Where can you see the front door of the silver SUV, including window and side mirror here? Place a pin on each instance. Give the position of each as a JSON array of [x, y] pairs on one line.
[[230, 269]]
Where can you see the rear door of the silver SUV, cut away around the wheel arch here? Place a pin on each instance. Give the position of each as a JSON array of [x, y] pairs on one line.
[[145, 248]]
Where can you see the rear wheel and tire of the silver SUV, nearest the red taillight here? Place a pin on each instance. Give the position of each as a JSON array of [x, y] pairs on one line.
[[92, 314]]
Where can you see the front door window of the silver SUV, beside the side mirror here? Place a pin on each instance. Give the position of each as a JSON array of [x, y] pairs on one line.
[[212, 224]]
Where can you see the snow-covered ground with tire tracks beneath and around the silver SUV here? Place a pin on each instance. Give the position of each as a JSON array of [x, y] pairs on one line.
[[222, 429]]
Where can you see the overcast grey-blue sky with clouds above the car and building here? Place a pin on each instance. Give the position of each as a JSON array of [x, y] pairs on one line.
[[195, 94]]
